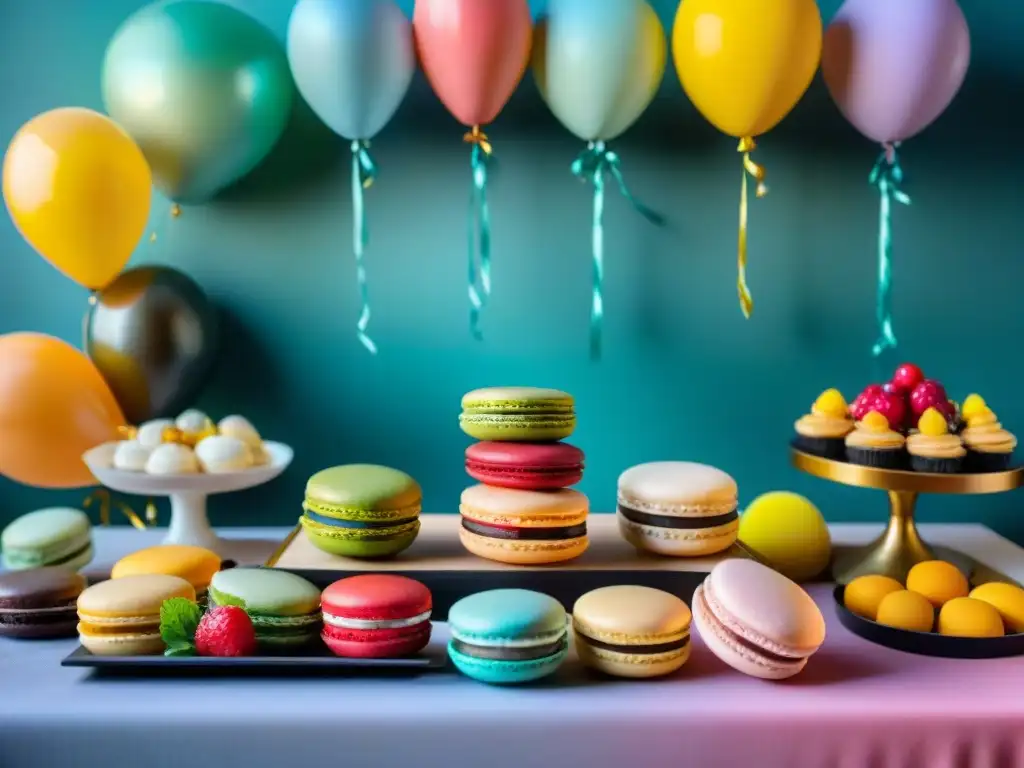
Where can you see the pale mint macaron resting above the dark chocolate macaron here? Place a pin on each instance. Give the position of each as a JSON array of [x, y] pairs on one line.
[[57, 536]]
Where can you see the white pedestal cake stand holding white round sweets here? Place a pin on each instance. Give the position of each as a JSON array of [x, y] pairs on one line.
[[188, 493]]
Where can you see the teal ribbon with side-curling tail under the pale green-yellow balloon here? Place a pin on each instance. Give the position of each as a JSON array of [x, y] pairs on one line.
[[592, 165]]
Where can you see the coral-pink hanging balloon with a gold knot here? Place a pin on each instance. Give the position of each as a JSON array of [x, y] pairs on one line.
[[475, 53]]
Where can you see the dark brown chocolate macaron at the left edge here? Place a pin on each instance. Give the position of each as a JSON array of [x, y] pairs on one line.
[[40, 603]]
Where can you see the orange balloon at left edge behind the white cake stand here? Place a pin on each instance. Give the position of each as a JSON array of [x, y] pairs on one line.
[[55, 406]]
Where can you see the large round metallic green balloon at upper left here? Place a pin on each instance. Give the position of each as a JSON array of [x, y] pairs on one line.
[[204, 90]]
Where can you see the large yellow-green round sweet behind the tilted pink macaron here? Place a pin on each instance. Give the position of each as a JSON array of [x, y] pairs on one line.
[[788, 533]]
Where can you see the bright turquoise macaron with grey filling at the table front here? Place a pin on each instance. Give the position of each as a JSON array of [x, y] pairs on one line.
[[505, 637]]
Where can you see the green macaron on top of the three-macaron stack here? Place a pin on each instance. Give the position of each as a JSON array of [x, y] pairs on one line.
[[518, 414]]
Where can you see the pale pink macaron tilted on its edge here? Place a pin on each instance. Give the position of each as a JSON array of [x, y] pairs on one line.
[[757, 621]]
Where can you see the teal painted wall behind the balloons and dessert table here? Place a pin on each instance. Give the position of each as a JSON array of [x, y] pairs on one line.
[[685, 376]]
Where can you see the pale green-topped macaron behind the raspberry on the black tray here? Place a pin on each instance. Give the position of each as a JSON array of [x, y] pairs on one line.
[[285, 609]]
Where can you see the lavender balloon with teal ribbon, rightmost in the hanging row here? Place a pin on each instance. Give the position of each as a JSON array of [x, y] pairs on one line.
[[894, 66]]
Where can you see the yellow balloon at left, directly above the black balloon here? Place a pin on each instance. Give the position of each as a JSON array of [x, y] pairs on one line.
[[79, 190]]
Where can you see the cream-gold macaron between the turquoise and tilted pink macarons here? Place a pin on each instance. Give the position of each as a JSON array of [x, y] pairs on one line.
[[635, 632]]
